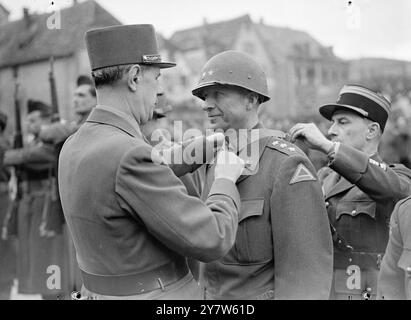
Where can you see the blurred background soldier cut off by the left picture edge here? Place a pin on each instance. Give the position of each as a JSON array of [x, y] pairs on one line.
[[7, 244]]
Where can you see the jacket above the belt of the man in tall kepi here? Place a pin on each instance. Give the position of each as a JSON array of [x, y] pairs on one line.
[[127, 212]]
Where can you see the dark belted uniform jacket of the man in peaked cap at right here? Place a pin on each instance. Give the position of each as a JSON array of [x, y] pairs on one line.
[[360, 194]]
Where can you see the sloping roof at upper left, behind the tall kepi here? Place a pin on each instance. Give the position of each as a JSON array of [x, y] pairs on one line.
[[30, 40]]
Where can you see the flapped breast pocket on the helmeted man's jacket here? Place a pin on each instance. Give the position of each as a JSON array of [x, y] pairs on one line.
[[253, 242]]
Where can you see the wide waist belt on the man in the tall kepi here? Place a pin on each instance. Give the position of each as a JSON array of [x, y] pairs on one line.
[[136, 283]]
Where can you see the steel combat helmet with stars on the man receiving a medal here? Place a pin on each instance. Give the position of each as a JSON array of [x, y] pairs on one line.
[[236, 69]]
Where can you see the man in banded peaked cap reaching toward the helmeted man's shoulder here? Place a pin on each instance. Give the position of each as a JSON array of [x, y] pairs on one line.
[[360, 189]]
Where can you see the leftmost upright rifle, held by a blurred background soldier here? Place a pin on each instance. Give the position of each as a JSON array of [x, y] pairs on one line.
[[10, 220]]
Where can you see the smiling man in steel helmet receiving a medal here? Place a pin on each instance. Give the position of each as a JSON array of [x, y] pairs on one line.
[[283, 248]]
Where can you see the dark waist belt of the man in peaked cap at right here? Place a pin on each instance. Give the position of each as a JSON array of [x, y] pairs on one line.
[[365, 260]]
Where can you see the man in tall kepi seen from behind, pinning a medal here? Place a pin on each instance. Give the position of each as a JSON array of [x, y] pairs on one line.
[[132, 222]]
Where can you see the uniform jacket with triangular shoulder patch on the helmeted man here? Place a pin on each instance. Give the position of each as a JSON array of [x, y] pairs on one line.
[[283, 248]]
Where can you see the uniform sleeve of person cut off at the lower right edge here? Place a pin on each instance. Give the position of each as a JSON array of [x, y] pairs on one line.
[[394, 281]]
